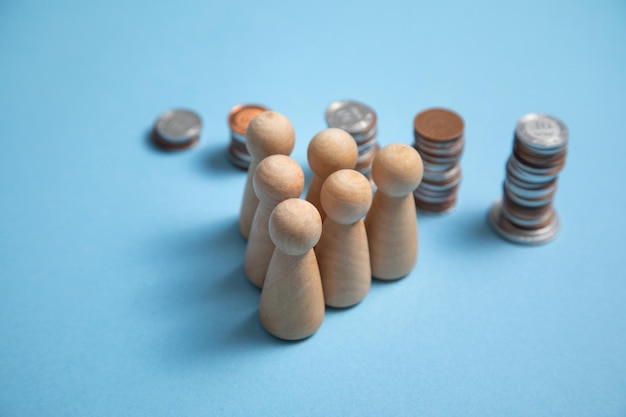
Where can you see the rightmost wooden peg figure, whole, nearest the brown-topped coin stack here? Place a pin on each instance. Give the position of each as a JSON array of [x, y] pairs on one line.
[[391, 223]]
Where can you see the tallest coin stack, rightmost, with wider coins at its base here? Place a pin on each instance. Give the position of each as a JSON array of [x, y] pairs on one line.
[[525, 214]]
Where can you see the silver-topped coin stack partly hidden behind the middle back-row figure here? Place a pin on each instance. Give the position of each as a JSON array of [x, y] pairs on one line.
[[359, 120]]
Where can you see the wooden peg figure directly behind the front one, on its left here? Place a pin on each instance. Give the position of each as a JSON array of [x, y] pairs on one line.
[[277, 178]]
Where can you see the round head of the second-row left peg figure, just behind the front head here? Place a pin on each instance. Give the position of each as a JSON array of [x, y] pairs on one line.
[[277, 178]]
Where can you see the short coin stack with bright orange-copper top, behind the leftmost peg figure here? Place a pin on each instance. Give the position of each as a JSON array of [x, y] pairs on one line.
[[238, 119]]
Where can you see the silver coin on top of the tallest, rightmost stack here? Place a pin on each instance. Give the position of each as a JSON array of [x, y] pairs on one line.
[[541, 132]]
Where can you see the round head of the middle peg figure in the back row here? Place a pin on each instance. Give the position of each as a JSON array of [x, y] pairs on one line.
[[331, 150]]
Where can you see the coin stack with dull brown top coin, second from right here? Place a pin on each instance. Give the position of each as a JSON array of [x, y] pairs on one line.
[[439, 140]]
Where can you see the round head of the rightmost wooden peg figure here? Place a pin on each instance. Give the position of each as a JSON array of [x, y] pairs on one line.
[[397, 169]]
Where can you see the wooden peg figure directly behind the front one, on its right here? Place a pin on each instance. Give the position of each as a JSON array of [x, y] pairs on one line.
[[343, 251]]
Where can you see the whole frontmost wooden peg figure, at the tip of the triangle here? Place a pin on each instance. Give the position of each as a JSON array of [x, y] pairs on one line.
[[292, 301]]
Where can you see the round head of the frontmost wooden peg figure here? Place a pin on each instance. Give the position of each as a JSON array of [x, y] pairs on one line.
[[295, 226]]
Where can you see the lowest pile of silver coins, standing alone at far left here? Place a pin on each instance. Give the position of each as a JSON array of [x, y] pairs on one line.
[[177, 129]]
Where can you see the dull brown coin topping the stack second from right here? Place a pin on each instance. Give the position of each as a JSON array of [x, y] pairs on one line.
[[438, 125]]
